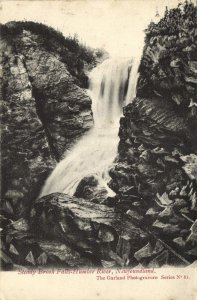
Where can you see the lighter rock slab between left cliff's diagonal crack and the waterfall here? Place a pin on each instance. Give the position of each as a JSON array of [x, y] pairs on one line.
[[63, 107]]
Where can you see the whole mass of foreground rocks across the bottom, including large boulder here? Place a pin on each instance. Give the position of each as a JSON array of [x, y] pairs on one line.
[[70, 232]]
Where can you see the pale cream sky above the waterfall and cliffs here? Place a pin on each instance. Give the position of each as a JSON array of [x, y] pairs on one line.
[[115, 25]]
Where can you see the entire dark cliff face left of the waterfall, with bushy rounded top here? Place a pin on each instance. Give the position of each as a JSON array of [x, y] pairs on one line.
[[45, 109]]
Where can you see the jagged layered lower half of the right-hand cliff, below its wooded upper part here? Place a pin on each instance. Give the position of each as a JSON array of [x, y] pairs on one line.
[[150, 178]]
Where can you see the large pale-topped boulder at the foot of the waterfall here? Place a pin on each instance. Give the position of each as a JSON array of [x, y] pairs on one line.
[[92, 229]]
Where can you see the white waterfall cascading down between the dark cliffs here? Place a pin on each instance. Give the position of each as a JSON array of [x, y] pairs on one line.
[[112, 85]]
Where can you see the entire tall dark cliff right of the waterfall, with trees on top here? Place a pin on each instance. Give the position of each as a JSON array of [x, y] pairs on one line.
[[154, 176]]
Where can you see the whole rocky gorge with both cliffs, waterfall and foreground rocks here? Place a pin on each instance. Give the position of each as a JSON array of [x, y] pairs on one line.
[[99, 154]]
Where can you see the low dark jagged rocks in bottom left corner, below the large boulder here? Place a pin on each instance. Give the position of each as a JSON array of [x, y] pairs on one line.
[[22, 247]]
